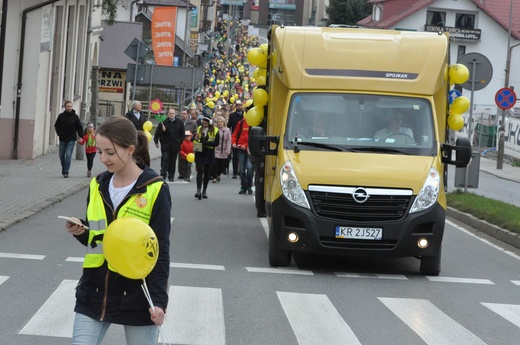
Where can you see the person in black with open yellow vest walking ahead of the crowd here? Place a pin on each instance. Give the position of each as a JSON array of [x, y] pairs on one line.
[[206, 138]]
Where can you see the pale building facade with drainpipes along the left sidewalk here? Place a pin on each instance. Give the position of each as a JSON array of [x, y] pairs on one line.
[[46, 57]]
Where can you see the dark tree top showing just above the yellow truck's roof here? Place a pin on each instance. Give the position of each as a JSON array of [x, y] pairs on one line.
[[347, 11]]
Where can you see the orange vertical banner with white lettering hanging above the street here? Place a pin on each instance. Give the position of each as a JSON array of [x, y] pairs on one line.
[[163, 34]]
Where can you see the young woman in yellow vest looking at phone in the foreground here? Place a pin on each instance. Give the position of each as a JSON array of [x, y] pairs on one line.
[[128, 188]]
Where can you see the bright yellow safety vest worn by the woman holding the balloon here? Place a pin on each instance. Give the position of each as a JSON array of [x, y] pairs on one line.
[[138, 206]]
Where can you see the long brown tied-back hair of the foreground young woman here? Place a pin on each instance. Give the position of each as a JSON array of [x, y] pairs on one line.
[[121, 131]]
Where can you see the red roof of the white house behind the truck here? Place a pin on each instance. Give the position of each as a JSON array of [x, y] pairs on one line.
[[396, 10]]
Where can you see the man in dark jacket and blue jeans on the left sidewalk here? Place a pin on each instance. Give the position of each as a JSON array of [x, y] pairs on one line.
[[69, 129]]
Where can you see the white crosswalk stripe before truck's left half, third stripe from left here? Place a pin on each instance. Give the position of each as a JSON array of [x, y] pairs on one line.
[[315, 320]]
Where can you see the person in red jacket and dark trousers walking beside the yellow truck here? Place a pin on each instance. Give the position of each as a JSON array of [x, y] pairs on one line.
[[239, 141]]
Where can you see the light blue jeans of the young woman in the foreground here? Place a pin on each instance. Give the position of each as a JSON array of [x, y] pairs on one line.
[[88, 331]]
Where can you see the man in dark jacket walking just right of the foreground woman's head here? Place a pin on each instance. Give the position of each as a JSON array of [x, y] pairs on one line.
[[170, 133]]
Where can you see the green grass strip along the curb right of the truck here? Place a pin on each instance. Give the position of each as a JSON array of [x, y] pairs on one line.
[[496, 212]]
